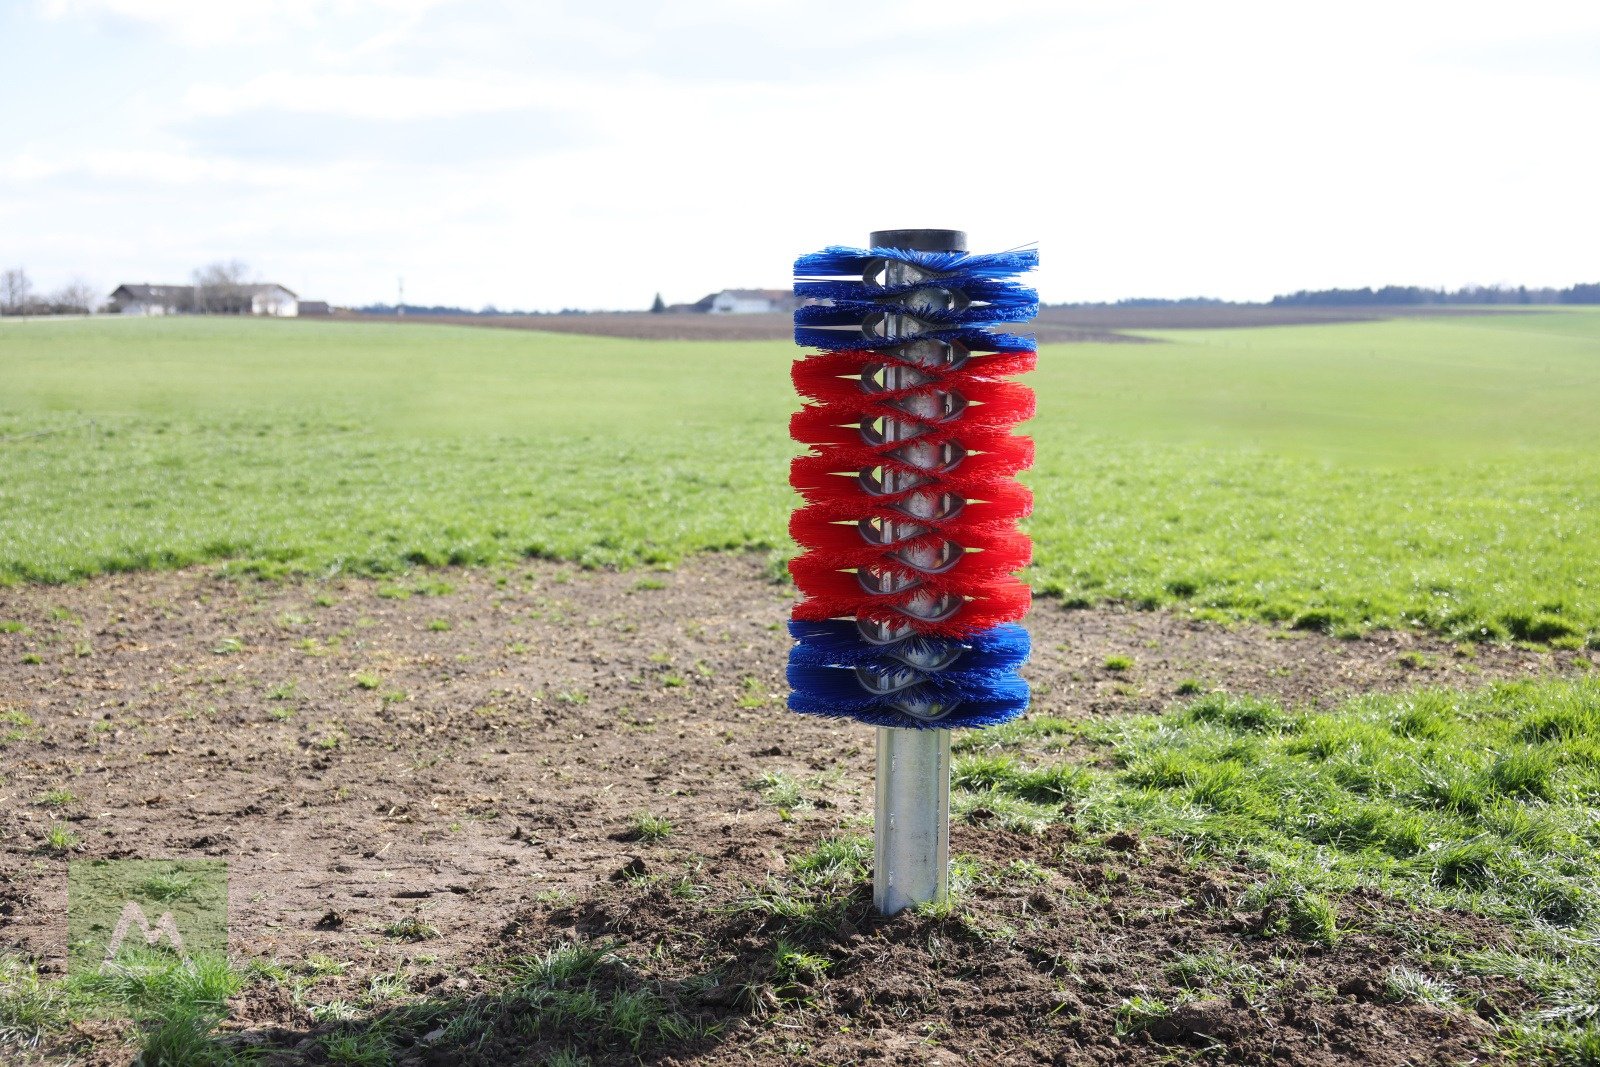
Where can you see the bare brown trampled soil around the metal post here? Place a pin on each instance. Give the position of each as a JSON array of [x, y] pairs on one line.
[[458, 746]]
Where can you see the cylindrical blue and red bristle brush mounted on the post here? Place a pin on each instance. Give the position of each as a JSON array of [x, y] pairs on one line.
[[910, 537]]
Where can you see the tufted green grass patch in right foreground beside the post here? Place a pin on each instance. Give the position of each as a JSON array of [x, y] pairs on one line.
[[1479, 801]]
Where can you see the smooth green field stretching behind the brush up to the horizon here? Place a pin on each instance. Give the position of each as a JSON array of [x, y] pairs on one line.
[[1422, 473]]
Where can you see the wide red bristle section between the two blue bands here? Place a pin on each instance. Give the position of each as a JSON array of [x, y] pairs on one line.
[[969, 549]]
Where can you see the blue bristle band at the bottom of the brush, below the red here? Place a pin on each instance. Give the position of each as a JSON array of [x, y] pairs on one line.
[[983, 682]]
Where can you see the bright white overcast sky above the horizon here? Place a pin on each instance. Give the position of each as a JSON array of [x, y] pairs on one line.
[[591, 154]]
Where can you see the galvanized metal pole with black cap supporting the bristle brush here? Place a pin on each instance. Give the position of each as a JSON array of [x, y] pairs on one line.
[[913, 810]]
